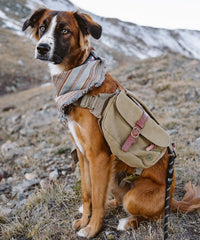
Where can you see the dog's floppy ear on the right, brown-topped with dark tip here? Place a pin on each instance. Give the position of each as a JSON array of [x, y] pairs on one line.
[[87, 25]]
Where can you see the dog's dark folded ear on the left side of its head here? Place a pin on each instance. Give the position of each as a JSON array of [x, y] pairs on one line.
[[34, 19]]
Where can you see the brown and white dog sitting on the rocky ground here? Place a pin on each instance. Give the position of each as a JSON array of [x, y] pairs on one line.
[[63, 41]]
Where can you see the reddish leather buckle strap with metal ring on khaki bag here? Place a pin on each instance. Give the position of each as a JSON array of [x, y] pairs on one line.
[[133, 136]]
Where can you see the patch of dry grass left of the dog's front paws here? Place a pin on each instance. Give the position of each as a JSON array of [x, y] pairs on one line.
[[48, 214]]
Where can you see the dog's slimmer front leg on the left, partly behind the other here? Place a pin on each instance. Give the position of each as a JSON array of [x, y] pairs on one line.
[[86, 192]]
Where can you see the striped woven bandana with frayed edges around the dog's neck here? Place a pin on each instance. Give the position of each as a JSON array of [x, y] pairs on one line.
[[73, 84]]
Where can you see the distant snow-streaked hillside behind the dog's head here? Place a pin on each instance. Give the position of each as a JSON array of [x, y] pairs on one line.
[[121, 43]]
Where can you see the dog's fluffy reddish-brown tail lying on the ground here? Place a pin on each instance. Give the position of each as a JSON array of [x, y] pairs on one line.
[[190, 201]]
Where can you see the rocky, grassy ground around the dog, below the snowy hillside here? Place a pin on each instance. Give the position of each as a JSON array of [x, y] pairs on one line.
[[40, 185]]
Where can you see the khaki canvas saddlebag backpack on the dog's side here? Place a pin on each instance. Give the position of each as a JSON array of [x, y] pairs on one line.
[[119, 119]]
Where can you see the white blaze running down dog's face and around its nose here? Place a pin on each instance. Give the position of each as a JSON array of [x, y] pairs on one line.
[[48, 38]]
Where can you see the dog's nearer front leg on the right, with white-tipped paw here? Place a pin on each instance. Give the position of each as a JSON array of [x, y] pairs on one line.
[[100, 170]]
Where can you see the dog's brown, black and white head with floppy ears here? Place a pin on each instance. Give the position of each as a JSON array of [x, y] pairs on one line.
[[60, 34]]
